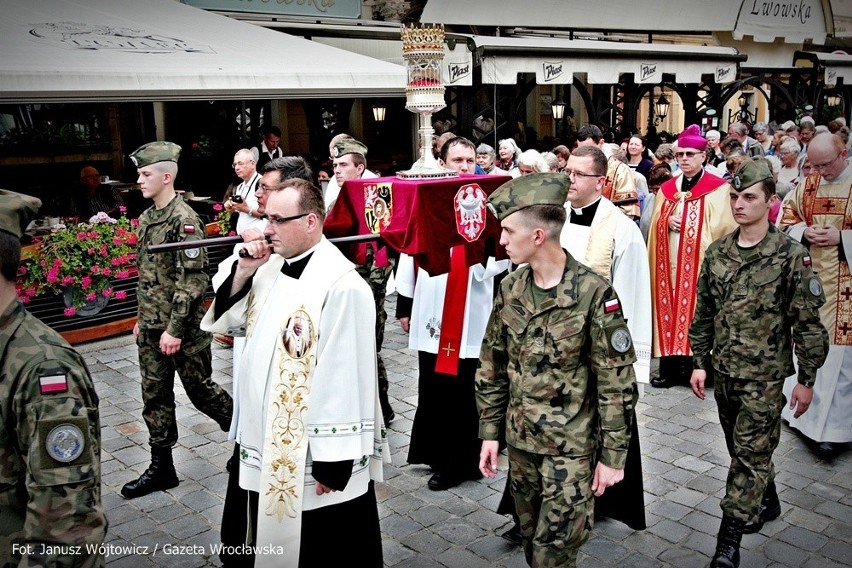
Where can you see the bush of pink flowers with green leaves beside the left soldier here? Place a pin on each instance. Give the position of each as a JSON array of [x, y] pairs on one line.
[[82, 256]]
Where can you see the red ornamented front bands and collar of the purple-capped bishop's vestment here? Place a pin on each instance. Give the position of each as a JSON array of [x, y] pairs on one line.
[[675, 303]]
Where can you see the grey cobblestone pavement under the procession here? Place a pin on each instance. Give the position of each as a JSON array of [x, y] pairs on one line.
[[684, 460]]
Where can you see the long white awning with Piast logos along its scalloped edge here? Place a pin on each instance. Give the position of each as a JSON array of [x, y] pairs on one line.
[[555, 61]]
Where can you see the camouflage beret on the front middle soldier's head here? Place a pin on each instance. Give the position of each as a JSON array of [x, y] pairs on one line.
[[525, 191]]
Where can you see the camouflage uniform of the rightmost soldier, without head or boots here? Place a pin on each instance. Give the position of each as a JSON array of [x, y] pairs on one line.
[[749, 314]]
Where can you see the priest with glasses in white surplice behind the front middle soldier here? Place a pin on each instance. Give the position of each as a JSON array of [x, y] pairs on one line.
[[599, 235]]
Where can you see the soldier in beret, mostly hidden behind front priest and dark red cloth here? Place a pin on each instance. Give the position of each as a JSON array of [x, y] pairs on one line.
[[350, 163]]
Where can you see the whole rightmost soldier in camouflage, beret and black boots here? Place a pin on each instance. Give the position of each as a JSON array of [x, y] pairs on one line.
[[757, 297]]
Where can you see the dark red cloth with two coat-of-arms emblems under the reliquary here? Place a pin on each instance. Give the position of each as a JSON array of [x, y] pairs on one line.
[[422, 218]]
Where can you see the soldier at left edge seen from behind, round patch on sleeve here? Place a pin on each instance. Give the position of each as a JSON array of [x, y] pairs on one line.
[[50, 435]]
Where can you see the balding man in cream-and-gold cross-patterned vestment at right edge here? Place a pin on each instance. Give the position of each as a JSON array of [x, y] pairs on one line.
[[819, 214]]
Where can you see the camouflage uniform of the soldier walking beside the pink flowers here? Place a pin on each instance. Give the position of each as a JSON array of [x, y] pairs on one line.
[[171, 292]]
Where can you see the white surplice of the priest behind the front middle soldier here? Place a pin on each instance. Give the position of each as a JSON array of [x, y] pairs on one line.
[[614, 248]]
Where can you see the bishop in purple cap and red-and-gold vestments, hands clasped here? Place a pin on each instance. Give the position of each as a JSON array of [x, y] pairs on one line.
[[690, 212]]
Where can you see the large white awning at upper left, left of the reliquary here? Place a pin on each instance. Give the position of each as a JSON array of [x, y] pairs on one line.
[[130, 50]]
